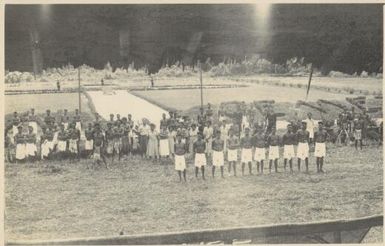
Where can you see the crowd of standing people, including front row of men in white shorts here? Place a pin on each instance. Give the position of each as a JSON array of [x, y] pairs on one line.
[[206, 143]]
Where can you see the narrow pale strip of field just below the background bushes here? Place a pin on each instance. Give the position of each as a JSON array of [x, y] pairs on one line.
[[366, 84]]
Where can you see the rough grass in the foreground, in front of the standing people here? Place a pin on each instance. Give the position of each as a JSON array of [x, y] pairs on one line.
[[67, 200]]
